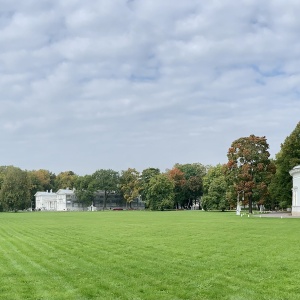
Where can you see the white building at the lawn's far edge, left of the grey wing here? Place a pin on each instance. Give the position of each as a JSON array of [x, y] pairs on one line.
[[62, 200]]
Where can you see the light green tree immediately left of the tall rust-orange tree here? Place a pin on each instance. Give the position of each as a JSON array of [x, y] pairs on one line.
[[215, 188]]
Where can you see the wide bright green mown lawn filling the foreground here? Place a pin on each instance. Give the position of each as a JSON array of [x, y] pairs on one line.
[[148, 255]]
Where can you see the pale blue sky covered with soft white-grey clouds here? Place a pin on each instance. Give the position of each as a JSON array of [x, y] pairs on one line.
[[94, 84]]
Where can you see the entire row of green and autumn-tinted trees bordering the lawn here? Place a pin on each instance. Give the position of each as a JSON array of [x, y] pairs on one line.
[[249, 173]]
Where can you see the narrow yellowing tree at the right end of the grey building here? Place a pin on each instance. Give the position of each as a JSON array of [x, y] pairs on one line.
[[130, 185]]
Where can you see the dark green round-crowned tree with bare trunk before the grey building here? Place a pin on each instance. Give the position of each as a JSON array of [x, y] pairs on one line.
[[107, 181]]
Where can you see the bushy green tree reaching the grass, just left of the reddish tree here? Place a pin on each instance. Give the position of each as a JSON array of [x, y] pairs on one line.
[[160, 192]]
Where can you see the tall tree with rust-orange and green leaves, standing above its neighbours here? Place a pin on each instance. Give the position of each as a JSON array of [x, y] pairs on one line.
[[249, 167]]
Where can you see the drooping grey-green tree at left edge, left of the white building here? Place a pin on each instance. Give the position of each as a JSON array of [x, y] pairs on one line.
[[15, 190]]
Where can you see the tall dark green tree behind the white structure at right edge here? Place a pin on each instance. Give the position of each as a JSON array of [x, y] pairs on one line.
[[287, 158]]
